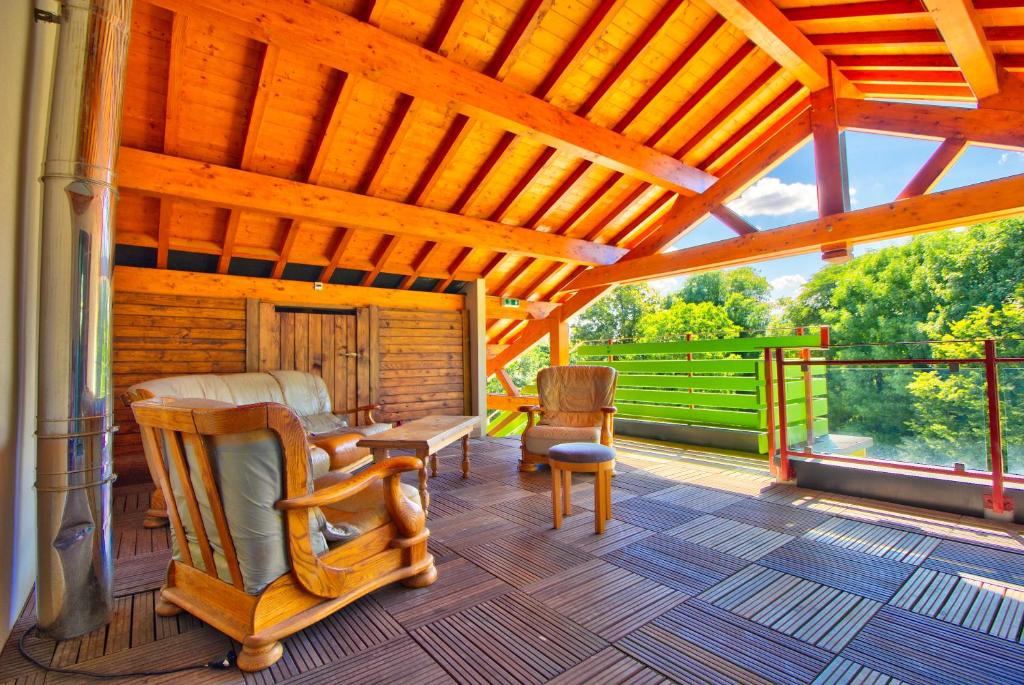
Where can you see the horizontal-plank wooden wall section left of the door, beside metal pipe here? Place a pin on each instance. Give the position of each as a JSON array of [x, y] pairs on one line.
[[168, 335]]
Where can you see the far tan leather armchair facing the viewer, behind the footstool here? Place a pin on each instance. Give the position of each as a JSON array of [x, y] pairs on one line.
[[576, 407]]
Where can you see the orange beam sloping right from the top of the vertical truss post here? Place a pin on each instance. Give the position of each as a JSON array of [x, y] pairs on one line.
[[998, 129]]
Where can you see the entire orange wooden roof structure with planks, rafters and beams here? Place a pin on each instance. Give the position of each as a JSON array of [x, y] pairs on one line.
[[552, 148]]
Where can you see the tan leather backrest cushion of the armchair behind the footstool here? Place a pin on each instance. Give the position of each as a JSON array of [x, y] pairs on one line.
[[574, 396]]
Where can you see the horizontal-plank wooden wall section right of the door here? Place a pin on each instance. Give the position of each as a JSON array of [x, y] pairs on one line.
[[422, 364]]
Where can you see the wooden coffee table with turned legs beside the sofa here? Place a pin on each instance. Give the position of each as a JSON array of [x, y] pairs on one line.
[[426, 438]]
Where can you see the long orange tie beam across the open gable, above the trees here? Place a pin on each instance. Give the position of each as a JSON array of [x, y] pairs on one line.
[[965, 206]]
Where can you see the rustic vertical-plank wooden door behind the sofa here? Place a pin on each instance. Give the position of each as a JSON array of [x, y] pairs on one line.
[[335, 346]]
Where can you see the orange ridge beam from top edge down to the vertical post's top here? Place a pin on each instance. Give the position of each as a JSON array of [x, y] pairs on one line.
[[765, 24]]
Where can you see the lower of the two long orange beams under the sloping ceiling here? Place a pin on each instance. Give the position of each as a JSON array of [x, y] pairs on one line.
[[160, 176]]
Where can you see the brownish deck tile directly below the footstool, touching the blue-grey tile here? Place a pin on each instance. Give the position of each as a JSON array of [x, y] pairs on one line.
[[606, 600]]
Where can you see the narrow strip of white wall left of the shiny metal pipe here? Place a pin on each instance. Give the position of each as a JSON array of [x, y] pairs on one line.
[[26, 53]]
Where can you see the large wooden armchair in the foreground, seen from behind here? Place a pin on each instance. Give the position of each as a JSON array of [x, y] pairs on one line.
[[253, 562]]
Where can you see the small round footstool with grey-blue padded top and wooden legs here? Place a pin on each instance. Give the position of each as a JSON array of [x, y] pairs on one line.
[[581, 458]]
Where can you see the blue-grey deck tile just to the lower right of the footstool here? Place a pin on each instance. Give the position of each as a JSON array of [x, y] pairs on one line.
[[675, 564]]
